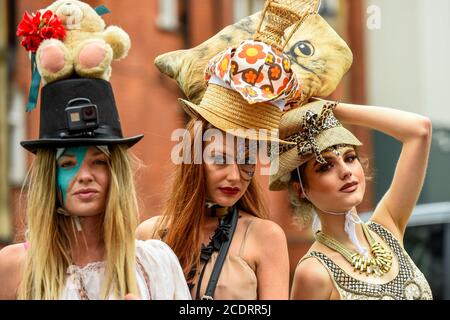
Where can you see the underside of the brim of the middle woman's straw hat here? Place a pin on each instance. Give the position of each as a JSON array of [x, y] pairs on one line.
[[226, 125]]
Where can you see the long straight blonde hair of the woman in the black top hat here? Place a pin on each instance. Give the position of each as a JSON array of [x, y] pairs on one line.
[[49, 253]]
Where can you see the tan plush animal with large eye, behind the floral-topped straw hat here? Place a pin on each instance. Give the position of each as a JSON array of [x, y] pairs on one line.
[[319, 57]]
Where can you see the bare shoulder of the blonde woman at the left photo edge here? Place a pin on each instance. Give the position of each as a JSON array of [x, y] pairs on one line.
[[12, 261]]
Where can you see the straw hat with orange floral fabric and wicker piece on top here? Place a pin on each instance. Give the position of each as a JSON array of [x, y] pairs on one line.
[[250, 85]]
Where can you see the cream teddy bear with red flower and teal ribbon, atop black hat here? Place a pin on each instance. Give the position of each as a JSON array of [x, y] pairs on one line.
[[68, 39]]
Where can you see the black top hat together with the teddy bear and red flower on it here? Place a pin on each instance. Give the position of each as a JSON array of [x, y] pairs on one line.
[[74, 111]]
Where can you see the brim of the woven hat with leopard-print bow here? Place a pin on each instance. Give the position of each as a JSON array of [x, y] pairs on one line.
[[290, 160]]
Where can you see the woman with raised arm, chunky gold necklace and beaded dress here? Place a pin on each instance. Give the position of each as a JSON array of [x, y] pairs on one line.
[[351, 259]]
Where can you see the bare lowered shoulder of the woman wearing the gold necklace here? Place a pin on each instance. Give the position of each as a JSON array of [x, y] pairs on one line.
[[311, 281]]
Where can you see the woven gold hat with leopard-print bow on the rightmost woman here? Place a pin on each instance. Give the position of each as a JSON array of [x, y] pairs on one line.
[[313, 128]]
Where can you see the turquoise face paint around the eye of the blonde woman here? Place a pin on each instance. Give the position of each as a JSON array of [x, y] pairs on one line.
[[64, 176]]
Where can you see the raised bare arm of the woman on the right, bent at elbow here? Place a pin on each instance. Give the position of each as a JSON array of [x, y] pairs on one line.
[[414, 131]]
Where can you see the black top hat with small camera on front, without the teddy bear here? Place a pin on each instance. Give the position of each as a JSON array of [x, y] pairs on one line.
[[77, 112]]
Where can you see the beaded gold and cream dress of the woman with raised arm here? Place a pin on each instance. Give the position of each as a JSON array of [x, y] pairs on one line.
[[409, 284]]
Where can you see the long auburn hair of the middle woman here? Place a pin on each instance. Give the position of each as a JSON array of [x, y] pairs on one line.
[[184, 210]]
